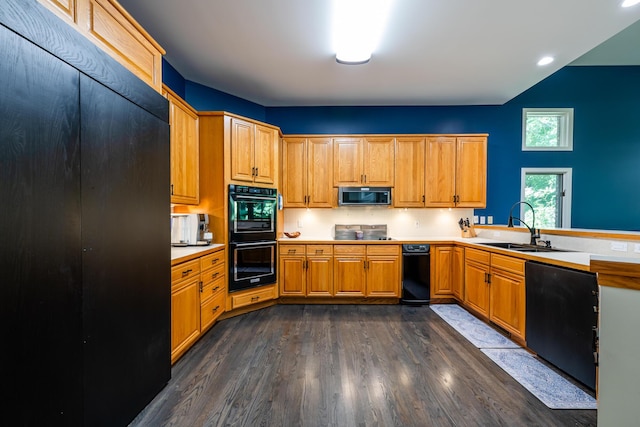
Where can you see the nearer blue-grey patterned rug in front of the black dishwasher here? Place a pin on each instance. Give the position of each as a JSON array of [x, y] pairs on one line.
[[545, 384]]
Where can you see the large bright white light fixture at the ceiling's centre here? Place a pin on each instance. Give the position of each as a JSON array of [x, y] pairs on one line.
[[357, 27]]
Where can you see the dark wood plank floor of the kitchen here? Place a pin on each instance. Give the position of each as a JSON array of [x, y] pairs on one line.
[[344, 365]]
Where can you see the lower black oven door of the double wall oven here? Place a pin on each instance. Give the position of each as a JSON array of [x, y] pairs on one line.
[[251, 265]]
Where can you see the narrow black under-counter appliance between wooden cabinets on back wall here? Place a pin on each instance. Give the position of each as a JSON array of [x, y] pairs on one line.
[[415, 274]]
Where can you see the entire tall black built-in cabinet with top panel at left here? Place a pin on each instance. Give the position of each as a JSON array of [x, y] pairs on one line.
[[84, 230]]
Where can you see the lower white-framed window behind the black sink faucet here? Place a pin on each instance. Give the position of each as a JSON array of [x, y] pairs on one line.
[[548, 190]]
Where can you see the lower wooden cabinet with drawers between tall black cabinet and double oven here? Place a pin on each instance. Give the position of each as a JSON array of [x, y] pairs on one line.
[[198, 294]]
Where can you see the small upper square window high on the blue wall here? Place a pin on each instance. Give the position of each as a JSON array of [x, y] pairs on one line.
[[547, 129]]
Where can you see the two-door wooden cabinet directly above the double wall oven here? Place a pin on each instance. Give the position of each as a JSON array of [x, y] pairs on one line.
[[253, 152]]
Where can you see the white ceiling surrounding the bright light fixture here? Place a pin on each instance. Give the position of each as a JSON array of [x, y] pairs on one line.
[[433, 52]]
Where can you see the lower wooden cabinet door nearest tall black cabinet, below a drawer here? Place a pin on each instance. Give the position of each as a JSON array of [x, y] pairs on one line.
[[185, 317]]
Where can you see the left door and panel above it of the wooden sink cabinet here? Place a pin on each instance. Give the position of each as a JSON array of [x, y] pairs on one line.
[[476, 280]]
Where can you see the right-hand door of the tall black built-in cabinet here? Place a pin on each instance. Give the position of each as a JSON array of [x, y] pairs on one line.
[[126, 255]]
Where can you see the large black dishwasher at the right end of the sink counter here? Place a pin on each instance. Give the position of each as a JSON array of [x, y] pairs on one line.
[[562, 317]]
